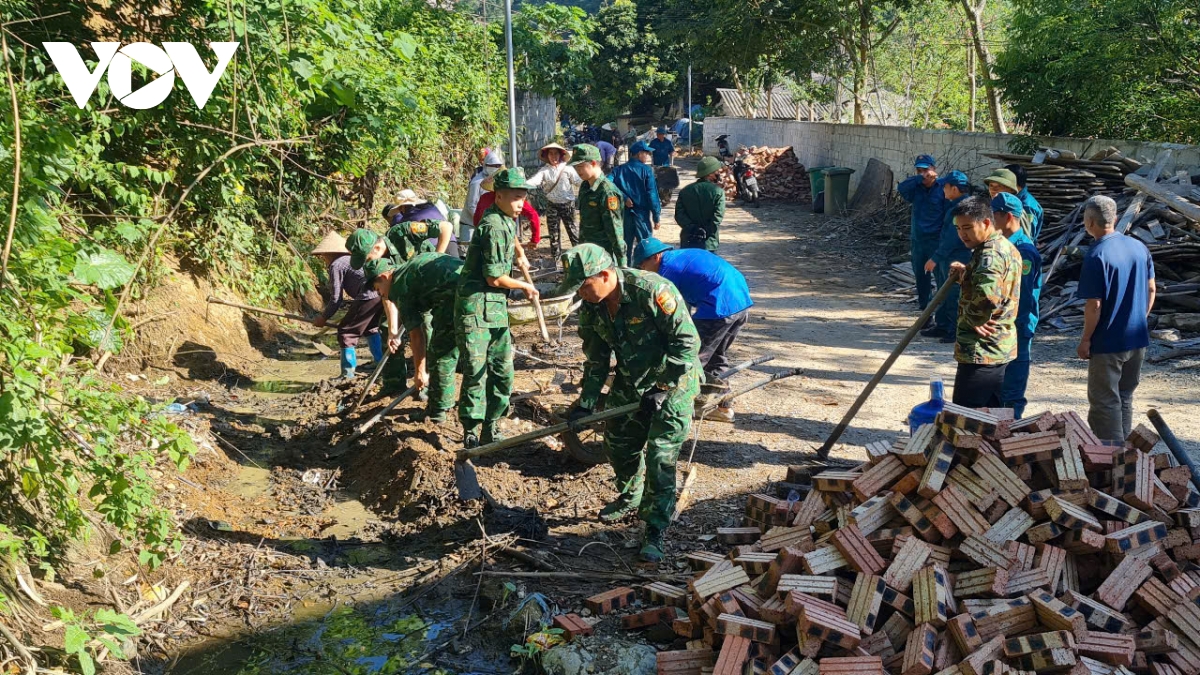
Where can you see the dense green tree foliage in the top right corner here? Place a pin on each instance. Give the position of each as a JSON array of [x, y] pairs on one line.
[[1120, 69]]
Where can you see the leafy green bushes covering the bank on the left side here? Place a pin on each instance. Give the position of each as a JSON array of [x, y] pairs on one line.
[[335, 101]]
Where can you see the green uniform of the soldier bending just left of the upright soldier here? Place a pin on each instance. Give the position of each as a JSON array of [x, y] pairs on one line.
[[424, 292]]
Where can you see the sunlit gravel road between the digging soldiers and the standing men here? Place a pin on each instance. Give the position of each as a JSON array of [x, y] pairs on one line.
[[821, 306]]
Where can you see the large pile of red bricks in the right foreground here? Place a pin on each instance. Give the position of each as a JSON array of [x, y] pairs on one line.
[[979, 546]]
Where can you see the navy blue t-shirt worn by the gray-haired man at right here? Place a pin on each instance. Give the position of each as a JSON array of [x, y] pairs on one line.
[[1119, 271]]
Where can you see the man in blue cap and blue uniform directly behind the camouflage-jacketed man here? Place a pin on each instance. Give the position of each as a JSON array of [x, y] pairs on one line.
[[1009, 212]]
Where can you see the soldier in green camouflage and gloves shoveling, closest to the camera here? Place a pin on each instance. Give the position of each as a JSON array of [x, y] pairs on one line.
[[643, 320]]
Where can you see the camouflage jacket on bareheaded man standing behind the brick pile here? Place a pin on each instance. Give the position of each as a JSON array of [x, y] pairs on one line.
[[992, 289]]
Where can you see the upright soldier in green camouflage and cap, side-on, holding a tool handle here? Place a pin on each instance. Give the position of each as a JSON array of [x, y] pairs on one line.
[[482, 312]]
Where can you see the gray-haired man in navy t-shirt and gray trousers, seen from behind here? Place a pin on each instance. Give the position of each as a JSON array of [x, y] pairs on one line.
[[1118, 282]]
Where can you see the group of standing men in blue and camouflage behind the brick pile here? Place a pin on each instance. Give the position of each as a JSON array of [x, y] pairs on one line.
[[985, 249]]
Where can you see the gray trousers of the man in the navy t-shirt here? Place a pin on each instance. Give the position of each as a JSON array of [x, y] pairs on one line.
[[1112, 380]]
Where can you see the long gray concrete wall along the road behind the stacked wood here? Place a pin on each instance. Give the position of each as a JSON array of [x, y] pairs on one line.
[[853, 146]]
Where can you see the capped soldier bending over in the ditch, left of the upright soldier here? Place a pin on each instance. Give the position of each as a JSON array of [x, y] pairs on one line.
[[417, 294]]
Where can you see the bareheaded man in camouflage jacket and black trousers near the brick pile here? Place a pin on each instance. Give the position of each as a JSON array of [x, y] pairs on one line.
[[986, 336]]
